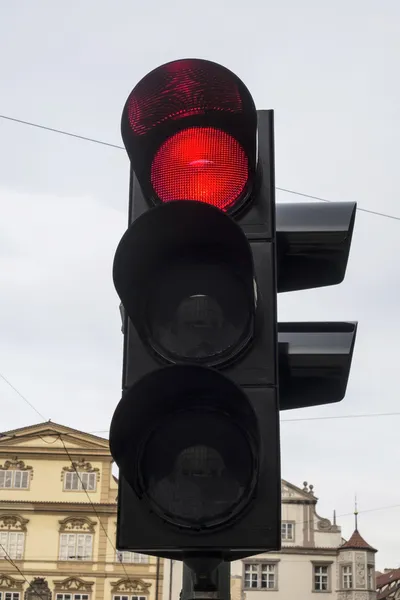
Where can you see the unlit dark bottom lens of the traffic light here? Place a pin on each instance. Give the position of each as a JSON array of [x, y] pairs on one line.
[[198, 468]]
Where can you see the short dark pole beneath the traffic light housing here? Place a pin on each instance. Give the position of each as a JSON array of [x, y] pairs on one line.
[[206, 584]]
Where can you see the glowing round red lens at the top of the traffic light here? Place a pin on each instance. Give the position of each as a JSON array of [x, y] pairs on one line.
[[200, 163]]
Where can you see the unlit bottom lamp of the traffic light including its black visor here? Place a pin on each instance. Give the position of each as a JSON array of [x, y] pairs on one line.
[[186, 440]]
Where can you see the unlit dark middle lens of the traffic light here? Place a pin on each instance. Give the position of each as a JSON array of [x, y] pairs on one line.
[[199, 315]]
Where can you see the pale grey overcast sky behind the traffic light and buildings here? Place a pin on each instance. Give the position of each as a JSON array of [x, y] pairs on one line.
[[330, 72]]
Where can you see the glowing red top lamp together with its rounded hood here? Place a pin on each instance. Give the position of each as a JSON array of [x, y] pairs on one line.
[[189, 128]]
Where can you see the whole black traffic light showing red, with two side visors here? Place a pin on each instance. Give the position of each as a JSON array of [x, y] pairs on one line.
[[196, 433]]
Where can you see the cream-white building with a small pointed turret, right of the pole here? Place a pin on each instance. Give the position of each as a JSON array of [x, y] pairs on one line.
[[314, 560]]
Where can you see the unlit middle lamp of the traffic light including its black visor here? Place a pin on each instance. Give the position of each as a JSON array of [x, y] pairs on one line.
[[184, 273]]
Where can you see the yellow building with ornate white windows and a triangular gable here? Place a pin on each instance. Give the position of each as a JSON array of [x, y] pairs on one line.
[[58, 517]]
